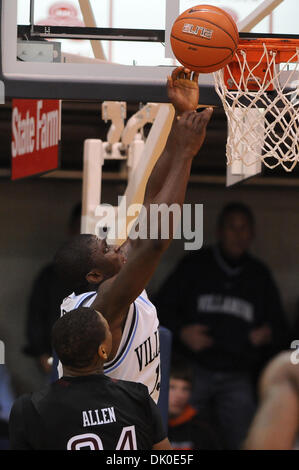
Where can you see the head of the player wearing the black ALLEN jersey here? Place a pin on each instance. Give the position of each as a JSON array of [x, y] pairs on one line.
[[82, 340]]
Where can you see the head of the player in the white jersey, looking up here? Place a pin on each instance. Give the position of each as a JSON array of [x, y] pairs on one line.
[[85, 261]]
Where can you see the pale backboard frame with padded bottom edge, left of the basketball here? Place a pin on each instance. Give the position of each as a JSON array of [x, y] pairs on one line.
[[81, 81]]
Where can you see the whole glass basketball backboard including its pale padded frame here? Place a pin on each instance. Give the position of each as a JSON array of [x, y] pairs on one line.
[[113, 49]]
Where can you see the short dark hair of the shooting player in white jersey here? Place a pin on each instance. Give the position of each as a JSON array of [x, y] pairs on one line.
[[73, 261]]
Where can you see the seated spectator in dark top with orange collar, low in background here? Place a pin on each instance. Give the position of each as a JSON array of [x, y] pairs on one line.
[[187, 430]]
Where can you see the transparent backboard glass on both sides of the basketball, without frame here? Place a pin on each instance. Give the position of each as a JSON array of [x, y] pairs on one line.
[[257, 16]]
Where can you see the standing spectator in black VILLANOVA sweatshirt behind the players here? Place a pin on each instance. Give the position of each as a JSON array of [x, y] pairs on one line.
[[224, 310]]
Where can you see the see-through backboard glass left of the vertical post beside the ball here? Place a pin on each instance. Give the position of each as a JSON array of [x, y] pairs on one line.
[[117, 15]]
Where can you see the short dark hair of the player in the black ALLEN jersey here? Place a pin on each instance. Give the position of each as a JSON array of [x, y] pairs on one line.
[[77, 335]]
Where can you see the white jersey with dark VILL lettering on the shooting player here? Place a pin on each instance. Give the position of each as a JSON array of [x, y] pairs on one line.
[[138, 355]]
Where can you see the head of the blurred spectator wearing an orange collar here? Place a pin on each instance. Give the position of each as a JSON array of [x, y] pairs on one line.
[[180, 388]]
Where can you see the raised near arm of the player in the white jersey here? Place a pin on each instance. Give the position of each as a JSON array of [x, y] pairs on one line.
[[184, 142]]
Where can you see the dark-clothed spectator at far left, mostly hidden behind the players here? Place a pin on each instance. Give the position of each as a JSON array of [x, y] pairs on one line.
[[44, 305]]
